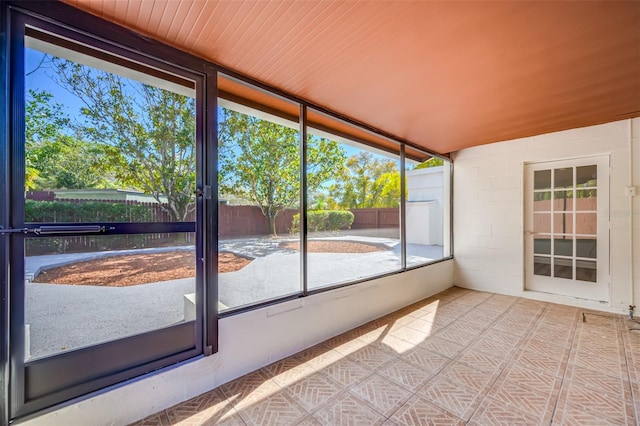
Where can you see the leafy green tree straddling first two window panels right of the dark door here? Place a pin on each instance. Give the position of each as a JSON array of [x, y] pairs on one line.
[[259, 160]]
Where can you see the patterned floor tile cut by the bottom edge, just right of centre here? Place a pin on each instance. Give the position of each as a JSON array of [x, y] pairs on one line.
[[348, 410]]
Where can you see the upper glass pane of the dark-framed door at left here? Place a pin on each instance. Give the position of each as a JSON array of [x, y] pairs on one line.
[[104, 143]]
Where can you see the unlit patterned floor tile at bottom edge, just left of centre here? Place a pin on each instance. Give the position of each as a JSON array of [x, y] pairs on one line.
[[278, 409]]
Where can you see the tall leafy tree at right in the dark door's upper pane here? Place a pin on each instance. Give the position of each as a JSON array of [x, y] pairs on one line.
[[149, 131]]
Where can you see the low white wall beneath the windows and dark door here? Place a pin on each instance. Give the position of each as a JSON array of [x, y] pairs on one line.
[[252, 340]]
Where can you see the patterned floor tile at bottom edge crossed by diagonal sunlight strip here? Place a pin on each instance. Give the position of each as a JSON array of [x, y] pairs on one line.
[[210, 408]]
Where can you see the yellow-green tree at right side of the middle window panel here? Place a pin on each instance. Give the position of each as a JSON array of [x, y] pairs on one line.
[[367, 182]]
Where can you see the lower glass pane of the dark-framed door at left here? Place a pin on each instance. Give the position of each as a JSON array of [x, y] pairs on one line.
[[85, 290]]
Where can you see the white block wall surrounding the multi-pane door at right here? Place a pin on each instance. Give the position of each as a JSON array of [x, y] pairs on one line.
[[488, 209]]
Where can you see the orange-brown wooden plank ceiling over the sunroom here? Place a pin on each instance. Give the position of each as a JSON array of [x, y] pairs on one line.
[[443, 75]]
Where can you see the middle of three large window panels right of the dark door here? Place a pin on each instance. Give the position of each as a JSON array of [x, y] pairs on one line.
[[353, 205]]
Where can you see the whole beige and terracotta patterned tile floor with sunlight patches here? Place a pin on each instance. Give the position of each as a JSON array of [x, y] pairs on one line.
[[460, 357]]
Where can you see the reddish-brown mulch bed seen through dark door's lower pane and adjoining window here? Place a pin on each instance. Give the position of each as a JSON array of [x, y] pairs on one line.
[[122, 271]]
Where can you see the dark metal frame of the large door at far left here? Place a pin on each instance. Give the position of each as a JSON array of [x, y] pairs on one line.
[[158, 348]]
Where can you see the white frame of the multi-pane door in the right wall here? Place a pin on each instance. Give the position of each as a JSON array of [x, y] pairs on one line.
[[603, 161]]
